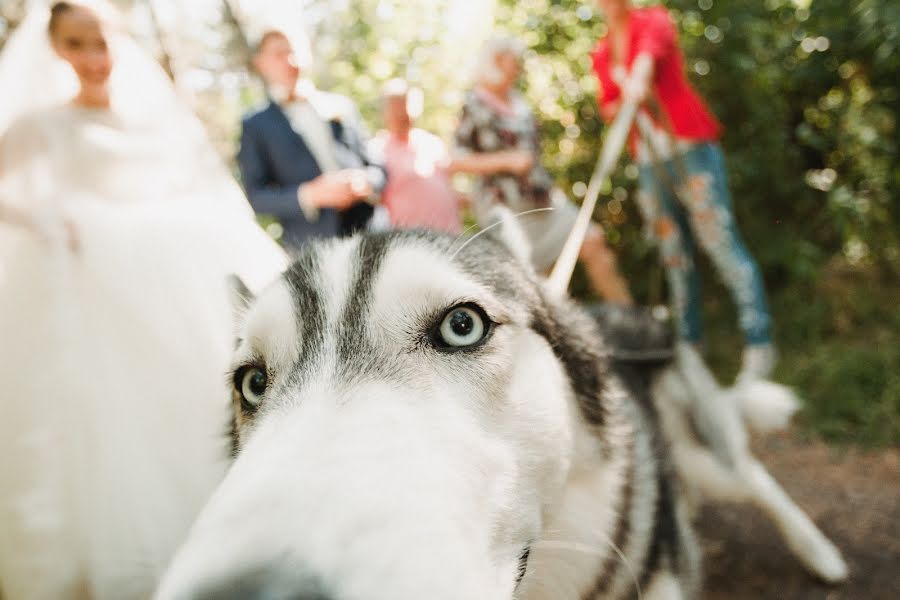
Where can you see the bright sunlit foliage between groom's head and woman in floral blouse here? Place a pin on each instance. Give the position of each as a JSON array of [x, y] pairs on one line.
[[361, 44]]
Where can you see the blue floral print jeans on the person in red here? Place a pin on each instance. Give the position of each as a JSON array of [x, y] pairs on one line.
[[704, 218]]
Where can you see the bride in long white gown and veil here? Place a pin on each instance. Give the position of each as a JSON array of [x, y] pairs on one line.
[[118, 228]]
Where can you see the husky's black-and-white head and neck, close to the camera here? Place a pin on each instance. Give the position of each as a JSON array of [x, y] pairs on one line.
[[417, 417]]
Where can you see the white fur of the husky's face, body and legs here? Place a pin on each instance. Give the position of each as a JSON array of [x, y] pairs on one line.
[[429, 481]]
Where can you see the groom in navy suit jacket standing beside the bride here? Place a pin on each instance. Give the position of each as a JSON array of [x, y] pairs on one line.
[[302, 157]]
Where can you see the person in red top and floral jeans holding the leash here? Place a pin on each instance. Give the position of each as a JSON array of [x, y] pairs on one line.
[[639, 60]]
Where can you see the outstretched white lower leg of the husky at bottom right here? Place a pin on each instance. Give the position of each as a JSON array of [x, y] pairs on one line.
[[808, 544]]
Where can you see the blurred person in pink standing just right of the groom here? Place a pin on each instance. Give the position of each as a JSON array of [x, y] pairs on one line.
[[418, 191]]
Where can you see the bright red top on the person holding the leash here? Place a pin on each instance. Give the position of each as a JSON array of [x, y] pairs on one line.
[[651, 31]]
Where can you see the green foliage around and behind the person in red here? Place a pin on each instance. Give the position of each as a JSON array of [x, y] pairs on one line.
[[808, 93]]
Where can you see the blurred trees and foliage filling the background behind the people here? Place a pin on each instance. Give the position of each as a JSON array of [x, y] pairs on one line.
[[808, 90]]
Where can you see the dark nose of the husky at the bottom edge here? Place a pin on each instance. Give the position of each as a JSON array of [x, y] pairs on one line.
[[263, 586]]
